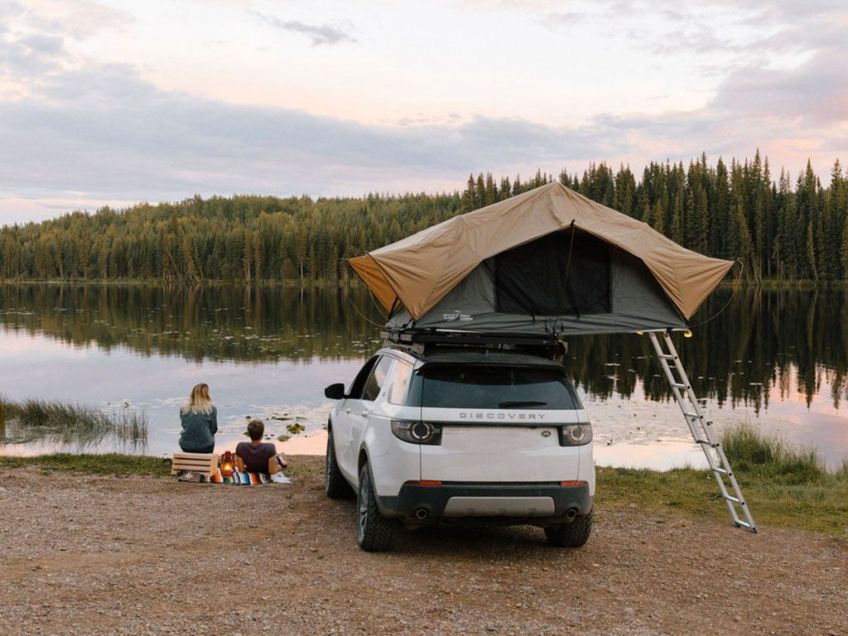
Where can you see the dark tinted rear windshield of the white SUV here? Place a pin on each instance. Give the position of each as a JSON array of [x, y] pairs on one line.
[[491, 387]]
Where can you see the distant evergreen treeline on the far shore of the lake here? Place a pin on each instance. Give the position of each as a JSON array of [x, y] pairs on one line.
[[780, 229]]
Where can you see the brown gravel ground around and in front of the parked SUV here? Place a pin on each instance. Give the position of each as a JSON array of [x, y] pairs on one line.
[[91, 555]]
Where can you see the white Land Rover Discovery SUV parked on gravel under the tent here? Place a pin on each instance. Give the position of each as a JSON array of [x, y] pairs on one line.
[[453, 434]]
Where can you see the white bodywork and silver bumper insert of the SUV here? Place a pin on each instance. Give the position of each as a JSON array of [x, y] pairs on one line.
[[509, 445]]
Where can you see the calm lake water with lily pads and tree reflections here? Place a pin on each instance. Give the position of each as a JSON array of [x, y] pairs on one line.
[[776, 359]]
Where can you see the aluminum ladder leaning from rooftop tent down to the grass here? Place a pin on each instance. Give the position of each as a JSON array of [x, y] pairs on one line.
[[701, 429]]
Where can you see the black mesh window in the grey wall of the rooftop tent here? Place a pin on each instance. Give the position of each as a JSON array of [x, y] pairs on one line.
[[539, 279]]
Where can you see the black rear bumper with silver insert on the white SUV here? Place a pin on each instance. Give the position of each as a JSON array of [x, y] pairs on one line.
[[538, 503]]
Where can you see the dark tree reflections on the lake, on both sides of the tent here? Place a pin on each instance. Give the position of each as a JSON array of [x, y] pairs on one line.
[[763, 344]]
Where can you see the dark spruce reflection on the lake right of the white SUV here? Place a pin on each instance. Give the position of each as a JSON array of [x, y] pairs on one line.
[[763, 345]]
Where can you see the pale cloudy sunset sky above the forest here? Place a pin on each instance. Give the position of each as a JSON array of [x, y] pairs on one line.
[[116, 102]]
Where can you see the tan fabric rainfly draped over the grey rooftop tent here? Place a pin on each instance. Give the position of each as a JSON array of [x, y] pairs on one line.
[[419, 270]]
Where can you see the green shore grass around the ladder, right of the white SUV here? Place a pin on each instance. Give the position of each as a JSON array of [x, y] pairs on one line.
[[784, 487]]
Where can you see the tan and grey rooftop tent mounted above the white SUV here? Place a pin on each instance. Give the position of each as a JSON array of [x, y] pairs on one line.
[[547, 261]]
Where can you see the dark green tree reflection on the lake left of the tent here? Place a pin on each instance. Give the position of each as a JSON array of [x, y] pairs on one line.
[[251, 324]]
